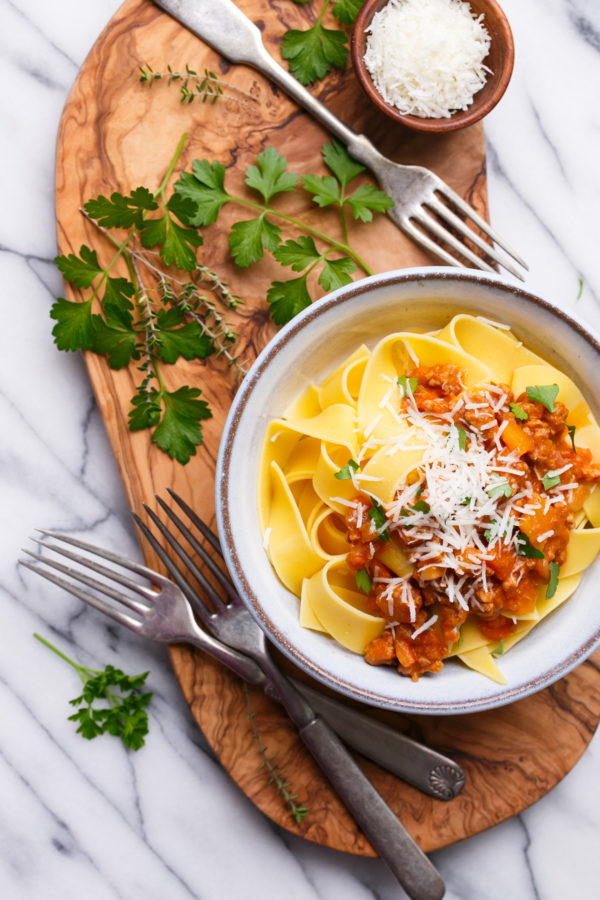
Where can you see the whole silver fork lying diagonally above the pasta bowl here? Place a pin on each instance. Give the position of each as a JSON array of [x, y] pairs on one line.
[[425, 207]]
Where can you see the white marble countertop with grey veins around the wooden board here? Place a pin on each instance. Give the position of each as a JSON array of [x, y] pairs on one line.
[[87, 818]]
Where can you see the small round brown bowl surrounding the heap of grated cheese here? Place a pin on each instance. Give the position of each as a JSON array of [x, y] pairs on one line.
[[500, 60]]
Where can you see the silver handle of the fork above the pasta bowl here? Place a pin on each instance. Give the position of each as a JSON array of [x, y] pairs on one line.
[[226, 28]]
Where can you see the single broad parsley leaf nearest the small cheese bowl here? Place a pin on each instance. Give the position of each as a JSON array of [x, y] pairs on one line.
[[313, 52]]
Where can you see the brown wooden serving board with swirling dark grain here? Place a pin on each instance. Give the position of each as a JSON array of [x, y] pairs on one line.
[[116, 134]]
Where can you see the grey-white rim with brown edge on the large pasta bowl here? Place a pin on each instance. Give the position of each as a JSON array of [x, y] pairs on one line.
[[243, 586]]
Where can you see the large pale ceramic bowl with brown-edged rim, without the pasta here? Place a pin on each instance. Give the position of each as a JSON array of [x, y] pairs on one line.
[[306, 350]]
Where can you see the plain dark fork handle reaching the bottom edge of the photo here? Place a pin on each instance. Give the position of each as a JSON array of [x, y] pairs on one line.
[[385, 831]]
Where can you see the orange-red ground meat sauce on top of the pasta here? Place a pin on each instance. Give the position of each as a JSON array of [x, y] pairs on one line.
[[513, 581]]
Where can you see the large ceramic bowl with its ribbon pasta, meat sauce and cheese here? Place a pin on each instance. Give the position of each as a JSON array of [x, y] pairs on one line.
[[426, 494]]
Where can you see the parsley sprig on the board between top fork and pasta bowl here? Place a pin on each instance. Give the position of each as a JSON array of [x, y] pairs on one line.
[[249, 239]]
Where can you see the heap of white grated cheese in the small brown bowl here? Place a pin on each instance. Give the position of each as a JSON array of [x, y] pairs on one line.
[[426, 56]]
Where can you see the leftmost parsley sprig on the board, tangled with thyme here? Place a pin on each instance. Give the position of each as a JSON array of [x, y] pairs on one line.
[[153, 317]]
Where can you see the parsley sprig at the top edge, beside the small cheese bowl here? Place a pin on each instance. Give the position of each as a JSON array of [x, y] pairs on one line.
[[312, 52]]
